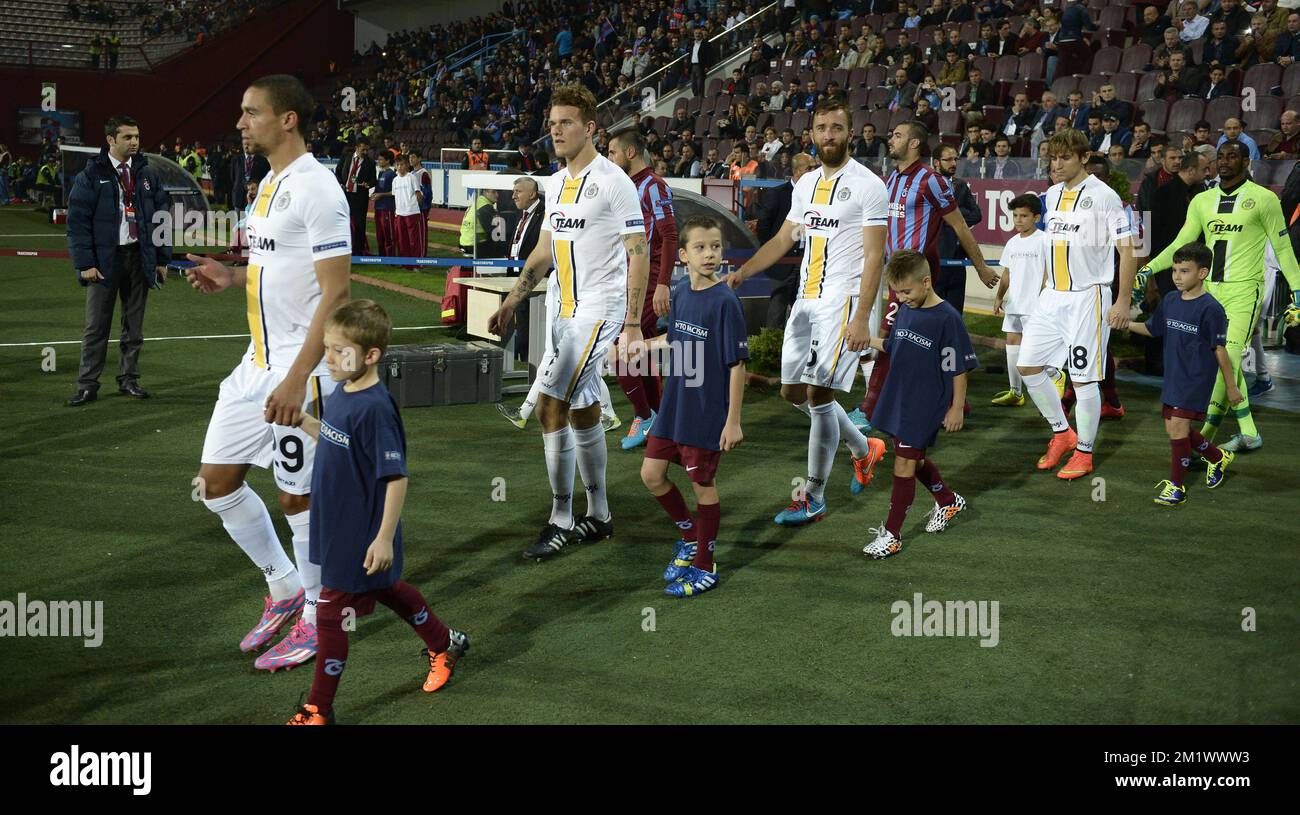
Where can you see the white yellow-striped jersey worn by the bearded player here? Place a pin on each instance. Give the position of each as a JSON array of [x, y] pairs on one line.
[[833, 214]]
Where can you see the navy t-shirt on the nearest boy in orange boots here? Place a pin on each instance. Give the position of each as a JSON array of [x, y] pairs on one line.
[[362, 445]]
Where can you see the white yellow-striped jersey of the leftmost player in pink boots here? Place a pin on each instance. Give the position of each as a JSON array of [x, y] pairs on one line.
[[300, 216]]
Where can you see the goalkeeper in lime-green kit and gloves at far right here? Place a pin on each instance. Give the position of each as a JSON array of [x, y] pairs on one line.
[[1238, 219]]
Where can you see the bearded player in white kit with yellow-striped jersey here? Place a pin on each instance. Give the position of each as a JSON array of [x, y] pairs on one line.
[[842, 211]]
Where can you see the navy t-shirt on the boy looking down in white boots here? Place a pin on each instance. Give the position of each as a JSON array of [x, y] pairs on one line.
[[928, 349]]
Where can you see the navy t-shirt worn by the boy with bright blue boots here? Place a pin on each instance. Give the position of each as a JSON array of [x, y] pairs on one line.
[[707, 335]]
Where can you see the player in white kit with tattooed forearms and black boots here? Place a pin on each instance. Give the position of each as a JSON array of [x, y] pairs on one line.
[[595, 236]]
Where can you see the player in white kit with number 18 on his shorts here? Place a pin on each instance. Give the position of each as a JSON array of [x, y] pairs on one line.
[[1073, 317]]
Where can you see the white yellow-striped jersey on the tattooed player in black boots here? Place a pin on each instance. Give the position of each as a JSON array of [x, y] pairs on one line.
[[588, 218]]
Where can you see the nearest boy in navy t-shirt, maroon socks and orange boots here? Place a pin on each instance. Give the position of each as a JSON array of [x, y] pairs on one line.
[[359, 484]]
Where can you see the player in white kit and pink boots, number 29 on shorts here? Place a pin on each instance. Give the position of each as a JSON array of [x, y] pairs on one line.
[[298, 274]]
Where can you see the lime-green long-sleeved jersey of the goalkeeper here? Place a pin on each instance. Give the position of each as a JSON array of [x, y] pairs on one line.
[[1236, 227]]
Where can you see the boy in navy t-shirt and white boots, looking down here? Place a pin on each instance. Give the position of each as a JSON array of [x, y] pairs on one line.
[[925, 391]]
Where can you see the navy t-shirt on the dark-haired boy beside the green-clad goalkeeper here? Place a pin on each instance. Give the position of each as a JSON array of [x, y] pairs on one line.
[[1193, 330]]
